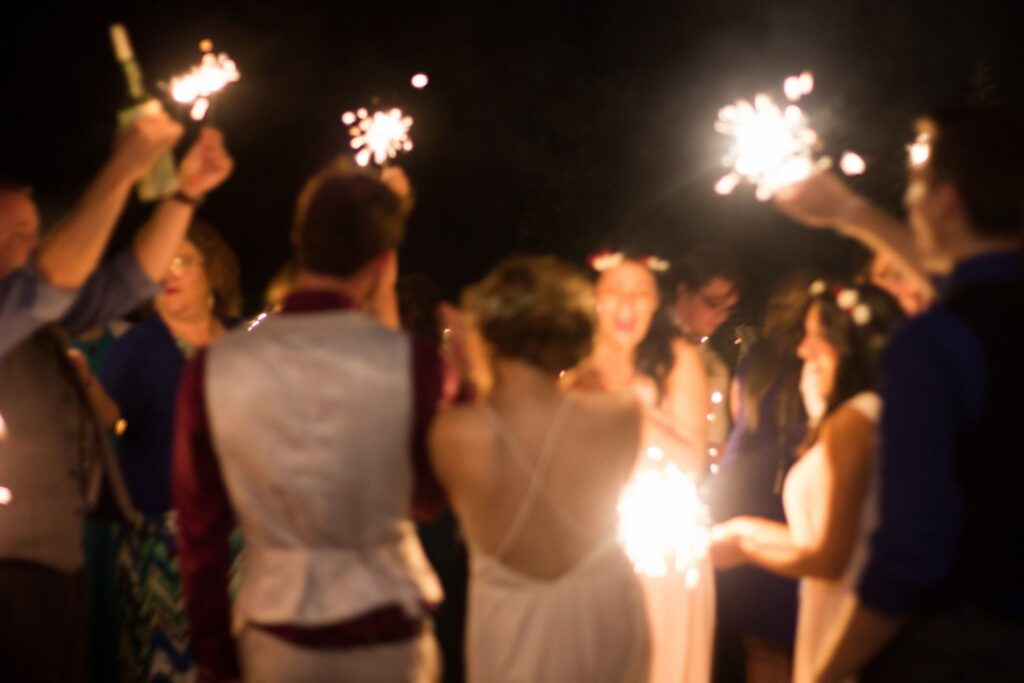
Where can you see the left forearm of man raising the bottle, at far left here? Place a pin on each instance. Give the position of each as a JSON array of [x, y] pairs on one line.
[[71, 252]]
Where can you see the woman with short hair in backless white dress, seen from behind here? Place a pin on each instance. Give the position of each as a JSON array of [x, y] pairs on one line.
[[535, 475]]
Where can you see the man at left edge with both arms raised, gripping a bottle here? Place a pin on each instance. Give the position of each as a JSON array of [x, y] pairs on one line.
[[53, 462]]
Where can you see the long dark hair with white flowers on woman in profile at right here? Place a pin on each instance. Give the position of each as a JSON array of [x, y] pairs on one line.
[[858, 321]]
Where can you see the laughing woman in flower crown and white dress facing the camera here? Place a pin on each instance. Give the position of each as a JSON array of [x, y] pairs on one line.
[[673, 389]]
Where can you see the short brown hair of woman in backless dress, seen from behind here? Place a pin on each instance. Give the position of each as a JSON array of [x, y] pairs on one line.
[[536, 310]]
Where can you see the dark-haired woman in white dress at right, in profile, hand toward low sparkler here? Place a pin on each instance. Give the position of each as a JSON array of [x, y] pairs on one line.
[[829, 494]]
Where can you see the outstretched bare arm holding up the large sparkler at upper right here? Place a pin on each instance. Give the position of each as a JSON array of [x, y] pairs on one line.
[[825, 201]]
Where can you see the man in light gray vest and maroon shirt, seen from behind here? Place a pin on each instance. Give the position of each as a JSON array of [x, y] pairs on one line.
[[310, 431]]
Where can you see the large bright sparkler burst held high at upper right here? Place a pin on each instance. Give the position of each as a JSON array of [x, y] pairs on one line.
[[775, 147]]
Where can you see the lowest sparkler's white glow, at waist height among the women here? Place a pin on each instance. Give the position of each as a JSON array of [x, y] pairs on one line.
[[663, 524]]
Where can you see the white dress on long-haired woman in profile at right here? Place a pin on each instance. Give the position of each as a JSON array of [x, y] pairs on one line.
[[821, 600]]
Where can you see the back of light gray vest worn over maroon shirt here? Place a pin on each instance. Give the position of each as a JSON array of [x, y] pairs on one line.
[[323, 481]]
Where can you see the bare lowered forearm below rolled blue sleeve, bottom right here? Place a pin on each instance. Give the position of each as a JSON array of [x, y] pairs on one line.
[[858, 637]]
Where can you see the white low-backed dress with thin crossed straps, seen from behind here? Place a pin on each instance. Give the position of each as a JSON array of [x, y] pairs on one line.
[[586, 626]]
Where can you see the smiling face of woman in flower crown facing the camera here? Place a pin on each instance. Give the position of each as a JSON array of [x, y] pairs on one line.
[[627, 298]]
